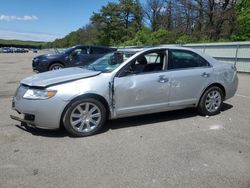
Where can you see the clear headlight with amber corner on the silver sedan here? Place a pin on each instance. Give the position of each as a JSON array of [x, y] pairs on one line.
[[39, 94]]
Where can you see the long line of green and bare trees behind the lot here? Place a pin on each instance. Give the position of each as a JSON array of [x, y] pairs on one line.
[[129, 23]]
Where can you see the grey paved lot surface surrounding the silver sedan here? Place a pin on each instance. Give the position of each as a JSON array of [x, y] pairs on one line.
[[172, 149]]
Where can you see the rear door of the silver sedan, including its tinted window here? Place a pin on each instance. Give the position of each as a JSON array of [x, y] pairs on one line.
[[191, 74]]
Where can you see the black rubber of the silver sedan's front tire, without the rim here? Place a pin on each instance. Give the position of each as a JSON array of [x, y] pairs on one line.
[[70, 108]]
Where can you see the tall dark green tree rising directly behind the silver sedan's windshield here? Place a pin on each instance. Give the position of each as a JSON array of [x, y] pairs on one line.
[[117, 22]]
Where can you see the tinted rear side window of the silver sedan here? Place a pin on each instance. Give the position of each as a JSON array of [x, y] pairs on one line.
[[182, 59]]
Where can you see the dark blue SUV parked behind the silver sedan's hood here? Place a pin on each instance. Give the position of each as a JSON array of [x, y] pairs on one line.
[[74, 56]]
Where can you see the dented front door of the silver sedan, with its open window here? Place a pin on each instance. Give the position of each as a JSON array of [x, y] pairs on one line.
[[142, 87]]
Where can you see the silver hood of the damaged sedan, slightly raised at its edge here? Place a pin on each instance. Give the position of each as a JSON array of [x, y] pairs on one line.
[[58, 76]]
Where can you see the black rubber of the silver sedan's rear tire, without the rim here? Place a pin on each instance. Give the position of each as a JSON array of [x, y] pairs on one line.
[[202, 107]]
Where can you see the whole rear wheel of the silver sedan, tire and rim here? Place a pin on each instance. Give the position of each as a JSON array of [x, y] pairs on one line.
[[211, 101]]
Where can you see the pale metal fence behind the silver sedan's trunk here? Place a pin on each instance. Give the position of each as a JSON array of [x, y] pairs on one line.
[[237, 53]]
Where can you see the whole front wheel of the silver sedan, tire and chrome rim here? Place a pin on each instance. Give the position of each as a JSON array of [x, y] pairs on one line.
[[84, 117]]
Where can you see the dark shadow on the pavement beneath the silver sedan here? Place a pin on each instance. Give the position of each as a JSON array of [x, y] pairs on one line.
[[125, 122]]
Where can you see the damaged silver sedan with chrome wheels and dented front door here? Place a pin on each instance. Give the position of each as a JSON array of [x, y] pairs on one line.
[[123, 84]]
